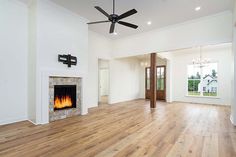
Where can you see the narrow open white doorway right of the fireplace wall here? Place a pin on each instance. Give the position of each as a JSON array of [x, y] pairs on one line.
[[103, 83]]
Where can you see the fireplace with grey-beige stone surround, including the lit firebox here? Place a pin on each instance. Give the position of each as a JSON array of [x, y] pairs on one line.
[[65, 97]]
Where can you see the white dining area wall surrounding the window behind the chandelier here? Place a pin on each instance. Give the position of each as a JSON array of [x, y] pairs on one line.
[[181, 58]]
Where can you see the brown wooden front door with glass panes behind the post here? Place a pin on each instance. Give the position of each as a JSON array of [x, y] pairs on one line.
[[161, 83]]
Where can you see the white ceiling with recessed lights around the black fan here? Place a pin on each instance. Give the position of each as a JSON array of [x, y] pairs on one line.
[[161, 12]]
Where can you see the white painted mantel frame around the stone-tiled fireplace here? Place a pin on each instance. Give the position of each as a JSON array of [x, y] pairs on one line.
[[42, 105]]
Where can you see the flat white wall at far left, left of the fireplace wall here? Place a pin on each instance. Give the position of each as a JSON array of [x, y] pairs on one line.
[[13, 61]]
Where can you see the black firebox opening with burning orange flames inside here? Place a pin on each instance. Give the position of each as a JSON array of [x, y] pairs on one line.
[[64, 97]]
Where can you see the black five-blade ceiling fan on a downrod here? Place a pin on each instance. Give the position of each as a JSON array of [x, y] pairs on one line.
[[114, 18]]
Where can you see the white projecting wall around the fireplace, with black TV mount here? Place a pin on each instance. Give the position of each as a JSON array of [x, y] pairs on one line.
[[57, 31]]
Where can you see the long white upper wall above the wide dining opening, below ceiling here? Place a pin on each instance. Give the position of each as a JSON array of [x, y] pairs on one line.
[[207, 30]]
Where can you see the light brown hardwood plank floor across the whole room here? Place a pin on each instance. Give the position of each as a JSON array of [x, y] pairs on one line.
[[127, 129]]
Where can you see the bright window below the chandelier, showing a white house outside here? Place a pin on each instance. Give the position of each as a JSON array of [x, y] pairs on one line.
[[203, 80]]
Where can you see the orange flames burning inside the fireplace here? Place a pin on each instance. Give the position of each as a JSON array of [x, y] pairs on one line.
[[62, 102]]
